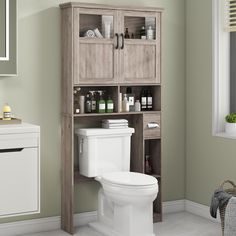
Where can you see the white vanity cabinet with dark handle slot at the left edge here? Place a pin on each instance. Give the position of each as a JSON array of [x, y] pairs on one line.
[[19, 170]]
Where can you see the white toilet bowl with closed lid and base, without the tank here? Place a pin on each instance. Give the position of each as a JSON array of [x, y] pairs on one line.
[[125, 204]]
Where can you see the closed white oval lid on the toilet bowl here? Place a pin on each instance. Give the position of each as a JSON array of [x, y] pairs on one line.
[[129, 179]]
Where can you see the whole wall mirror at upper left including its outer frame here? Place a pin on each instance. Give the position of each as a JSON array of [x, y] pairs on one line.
[[8, 37]]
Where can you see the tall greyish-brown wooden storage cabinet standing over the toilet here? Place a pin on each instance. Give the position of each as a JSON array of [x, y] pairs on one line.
[[110, 64]]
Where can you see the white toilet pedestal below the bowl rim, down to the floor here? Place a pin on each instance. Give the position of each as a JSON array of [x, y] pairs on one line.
[[116, 219]]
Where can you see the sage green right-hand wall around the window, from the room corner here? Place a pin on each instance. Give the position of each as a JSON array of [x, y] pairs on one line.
[[209, 160]]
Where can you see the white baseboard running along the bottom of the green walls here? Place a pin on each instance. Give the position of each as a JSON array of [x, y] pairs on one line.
[[53, 223]]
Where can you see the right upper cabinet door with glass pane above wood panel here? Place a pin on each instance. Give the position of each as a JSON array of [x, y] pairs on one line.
[[140, 50]]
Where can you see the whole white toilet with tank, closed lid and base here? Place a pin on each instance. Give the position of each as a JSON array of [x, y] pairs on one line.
[[125, 201]]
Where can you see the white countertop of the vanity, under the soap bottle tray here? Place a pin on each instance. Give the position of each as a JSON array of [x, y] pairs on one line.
[[19, 128]]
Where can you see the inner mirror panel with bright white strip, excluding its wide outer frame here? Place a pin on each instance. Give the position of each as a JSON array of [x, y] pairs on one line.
[[4, 30]]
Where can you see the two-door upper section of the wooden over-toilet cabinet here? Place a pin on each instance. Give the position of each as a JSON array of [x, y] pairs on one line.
[[115, 59]]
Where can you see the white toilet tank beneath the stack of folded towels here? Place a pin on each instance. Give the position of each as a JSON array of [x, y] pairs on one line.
[[103, 150]]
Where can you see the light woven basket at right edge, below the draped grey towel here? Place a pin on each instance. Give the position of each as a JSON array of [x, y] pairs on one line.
[[230, 218]]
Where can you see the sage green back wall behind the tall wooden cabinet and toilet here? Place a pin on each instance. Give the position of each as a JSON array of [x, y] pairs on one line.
[[34, 96]]
